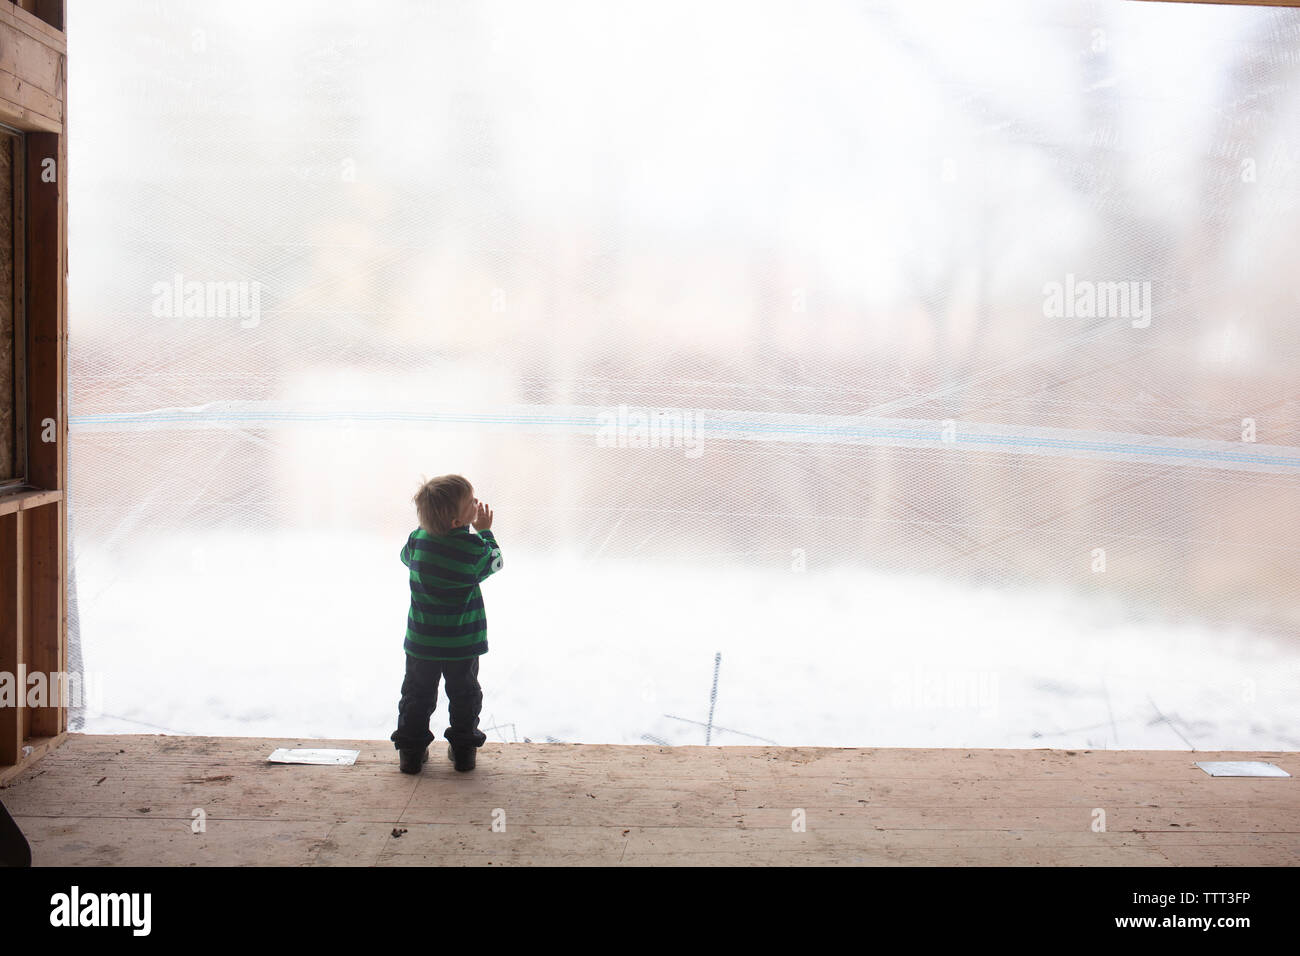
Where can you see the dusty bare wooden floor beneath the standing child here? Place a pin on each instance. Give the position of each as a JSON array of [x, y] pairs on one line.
[[132, 801]]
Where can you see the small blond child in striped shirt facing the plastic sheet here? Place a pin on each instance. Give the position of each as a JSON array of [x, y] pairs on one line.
[[447, 626]]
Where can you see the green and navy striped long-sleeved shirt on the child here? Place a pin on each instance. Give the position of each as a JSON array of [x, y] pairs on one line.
[[448, 621]]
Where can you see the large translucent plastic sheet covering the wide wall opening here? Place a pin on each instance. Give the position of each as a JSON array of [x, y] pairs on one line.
[[840, 374]]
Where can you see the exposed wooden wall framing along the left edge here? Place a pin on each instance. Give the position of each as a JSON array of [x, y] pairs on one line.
[[33, 508]]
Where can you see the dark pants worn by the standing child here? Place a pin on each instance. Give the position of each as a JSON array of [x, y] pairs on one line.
[[421, 698]]
